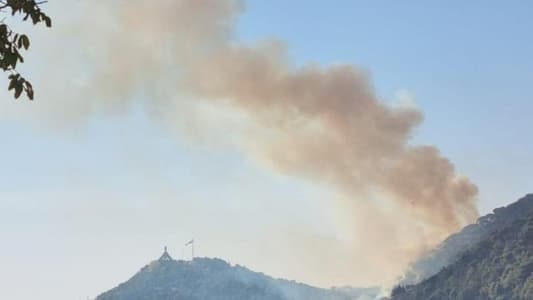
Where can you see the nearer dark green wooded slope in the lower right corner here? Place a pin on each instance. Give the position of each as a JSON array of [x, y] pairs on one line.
[[500, 267]]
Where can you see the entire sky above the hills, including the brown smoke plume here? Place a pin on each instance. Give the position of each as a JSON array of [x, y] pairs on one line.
[[154, 125]]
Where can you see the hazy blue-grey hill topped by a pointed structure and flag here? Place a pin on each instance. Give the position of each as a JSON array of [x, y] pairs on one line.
[[206, 278]]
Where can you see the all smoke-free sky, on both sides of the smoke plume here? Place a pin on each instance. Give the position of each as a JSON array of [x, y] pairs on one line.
[[84, 197]]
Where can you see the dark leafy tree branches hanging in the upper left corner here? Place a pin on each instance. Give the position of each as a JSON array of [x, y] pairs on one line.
[[12, 43]]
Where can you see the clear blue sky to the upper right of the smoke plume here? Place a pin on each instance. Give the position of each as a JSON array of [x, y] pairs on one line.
[[467, 64]]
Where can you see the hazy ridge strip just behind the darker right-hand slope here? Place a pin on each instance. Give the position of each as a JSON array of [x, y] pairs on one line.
[[452, 248]]
